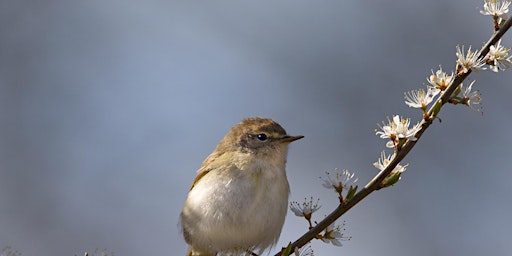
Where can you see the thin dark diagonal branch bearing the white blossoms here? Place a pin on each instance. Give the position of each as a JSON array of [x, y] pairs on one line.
[[375, 183]]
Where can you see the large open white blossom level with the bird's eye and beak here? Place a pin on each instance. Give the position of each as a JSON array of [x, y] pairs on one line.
[[397, 129]]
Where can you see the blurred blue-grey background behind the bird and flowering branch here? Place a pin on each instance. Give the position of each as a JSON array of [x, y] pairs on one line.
[[108, 108]]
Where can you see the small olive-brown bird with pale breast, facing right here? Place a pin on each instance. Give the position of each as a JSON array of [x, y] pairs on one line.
[[239, 198]]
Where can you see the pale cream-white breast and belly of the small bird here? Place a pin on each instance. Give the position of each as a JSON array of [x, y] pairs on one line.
[[245, 209]]
